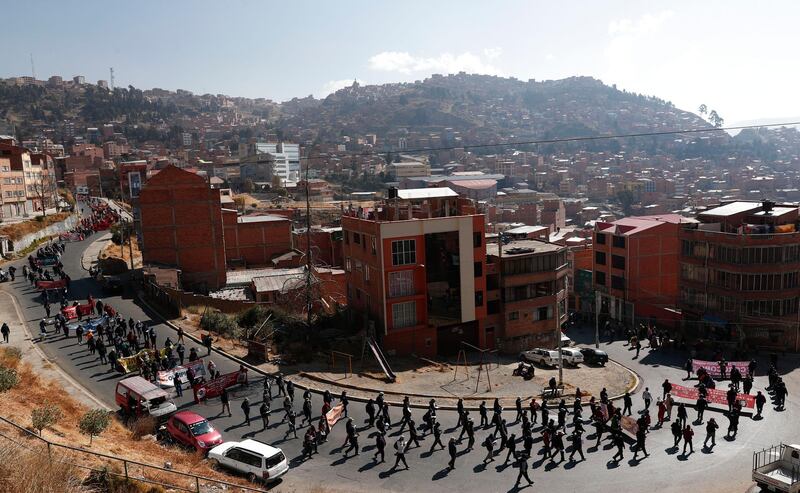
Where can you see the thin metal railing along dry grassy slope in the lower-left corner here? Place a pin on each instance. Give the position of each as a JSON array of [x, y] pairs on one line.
[[114, 466]]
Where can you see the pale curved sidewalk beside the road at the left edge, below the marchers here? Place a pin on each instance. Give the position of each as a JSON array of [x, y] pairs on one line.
[[21, 338]]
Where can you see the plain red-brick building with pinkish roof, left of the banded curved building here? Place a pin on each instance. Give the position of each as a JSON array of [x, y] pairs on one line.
[[636, 268]]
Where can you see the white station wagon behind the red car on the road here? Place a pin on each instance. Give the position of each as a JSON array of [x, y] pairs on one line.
[[255, 459]]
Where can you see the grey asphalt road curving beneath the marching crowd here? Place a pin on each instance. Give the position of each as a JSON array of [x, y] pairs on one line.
[[726, 468]]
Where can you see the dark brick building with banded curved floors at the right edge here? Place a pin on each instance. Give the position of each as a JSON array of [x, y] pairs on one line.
[[740, 274]]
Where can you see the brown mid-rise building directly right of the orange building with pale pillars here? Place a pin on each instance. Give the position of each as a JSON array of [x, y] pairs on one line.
[[526, 293]]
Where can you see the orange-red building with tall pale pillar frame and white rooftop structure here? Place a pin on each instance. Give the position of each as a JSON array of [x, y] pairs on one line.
[[415, 268]]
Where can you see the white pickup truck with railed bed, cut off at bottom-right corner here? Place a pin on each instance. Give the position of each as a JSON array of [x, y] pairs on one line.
[[778, 468]]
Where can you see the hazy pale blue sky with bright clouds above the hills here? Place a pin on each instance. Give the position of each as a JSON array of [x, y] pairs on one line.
[[738, 57]]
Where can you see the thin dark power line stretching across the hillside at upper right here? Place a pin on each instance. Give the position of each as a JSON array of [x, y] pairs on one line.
[[586, 138]]
